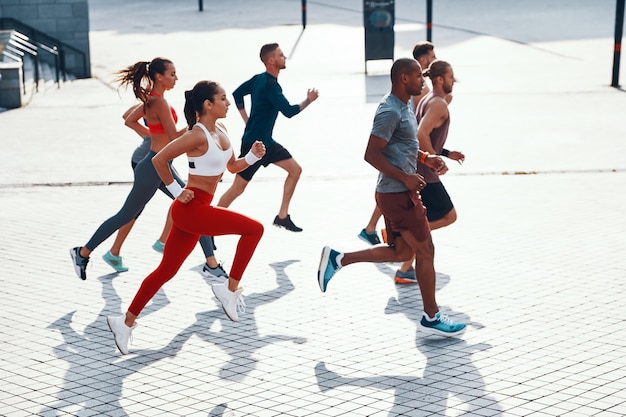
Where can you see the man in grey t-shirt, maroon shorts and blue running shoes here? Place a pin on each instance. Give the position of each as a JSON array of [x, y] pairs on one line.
[[394, 151]]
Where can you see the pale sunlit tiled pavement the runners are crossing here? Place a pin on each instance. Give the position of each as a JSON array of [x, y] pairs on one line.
[[534, 264]]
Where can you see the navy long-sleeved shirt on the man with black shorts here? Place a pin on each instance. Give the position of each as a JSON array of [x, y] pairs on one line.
[[267, 100]]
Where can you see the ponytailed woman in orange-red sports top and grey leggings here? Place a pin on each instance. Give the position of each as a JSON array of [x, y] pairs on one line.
[[149, 80]]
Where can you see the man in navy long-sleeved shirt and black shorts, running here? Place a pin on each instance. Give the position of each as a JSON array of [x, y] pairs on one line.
[[267, 101]]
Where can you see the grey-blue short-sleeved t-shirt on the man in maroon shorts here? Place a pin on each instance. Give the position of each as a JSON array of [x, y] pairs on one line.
[[395, 122]]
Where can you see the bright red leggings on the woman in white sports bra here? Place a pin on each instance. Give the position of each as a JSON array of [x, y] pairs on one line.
[[192, 220]]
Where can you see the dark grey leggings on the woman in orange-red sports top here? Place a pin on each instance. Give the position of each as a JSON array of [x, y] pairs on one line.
[[145, 185]]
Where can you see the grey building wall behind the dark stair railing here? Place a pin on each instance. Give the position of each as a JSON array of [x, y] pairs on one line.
[[65, 20]]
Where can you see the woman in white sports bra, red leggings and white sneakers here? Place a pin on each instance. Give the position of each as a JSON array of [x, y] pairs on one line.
[[209, 153]]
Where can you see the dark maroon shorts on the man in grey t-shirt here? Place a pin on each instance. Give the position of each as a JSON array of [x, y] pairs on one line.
[[403, 211]]
